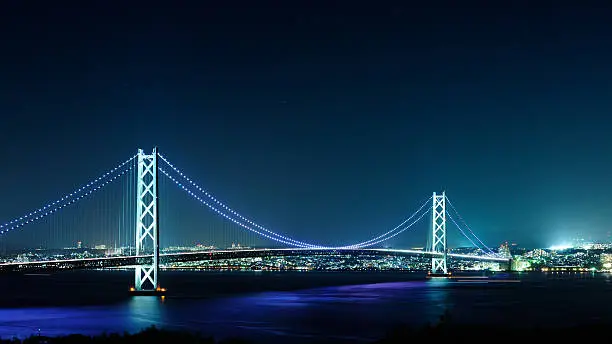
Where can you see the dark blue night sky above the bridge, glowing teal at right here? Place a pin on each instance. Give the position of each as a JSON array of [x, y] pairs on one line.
[[325, 122]]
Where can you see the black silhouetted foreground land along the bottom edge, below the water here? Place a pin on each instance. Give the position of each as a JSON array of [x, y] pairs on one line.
[[438, 333]]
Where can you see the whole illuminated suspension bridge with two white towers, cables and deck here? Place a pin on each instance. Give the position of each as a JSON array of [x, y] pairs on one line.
[[128, 219]]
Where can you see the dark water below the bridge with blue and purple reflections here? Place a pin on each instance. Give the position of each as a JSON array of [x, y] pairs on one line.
[[280, 307]]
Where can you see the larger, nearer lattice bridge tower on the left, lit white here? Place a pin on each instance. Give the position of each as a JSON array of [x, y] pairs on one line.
[[147, 223]]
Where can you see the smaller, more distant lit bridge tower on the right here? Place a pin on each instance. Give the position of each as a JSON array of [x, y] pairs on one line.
[[438, 262]]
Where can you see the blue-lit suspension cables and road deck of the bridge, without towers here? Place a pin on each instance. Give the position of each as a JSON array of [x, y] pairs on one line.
[[295, 247]]
